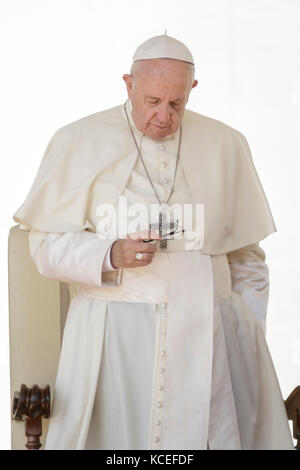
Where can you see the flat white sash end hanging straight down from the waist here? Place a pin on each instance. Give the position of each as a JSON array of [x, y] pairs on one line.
[[189, 351]]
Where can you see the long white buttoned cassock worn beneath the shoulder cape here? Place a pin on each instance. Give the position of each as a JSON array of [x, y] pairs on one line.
[[168, 356]]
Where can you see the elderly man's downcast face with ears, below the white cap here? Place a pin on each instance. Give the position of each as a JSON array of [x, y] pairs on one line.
[[159, 91]]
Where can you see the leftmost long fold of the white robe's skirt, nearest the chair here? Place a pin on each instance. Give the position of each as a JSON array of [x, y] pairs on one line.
[[77, 376]]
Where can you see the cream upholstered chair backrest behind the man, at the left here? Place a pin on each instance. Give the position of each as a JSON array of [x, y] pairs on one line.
[[37, 312]]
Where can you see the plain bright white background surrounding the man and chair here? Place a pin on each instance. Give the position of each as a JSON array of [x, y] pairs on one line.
[[64, 59]]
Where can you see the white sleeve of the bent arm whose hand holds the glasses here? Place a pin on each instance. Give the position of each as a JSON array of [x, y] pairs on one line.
[[72, 257]]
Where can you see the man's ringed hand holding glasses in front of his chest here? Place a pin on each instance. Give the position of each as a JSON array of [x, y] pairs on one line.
[[123, 251]]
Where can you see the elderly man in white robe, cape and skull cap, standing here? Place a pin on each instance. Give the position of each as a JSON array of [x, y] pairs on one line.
[[164, 350]]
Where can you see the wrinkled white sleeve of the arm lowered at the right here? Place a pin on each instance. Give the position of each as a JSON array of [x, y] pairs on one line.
[[250, 279]]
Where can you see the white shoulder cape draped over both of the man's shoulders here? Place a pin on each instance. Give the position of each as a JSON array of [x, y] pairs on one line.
[[215, 157]]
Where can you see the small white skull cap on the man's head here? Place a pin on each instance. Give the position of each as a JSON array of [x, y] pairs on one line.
[[159, 47]]
